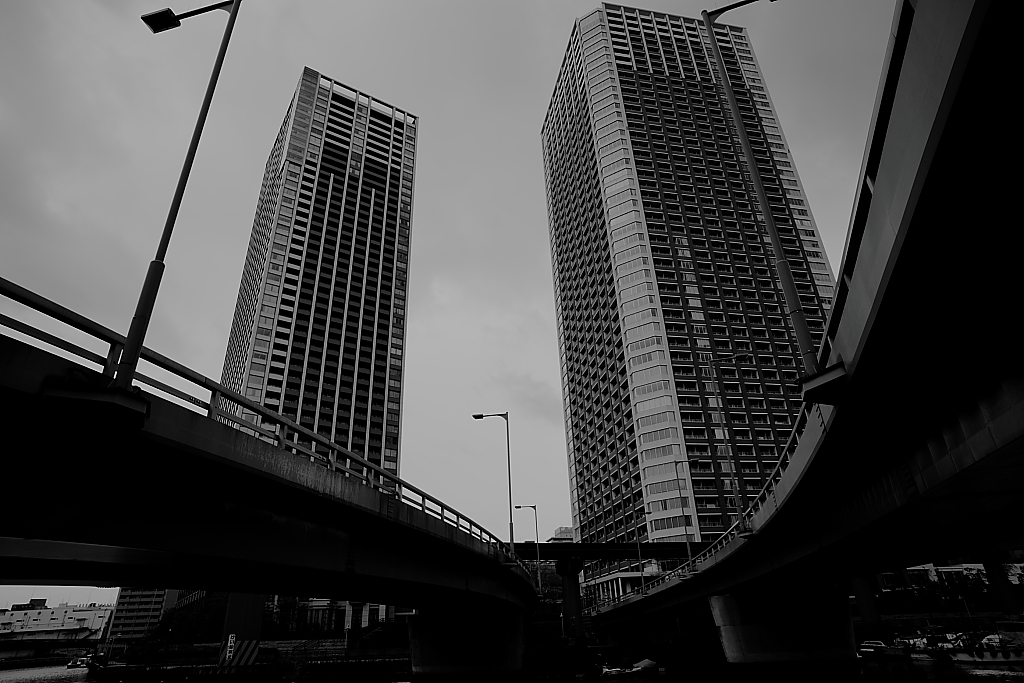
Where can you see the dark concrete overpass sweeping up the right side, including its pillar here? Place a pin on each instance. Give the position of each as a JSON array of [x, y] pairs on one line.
[[910, 448]]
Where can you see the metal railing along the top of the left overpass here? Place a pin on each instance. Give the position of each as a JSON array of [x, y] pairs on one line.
[[229, 407]]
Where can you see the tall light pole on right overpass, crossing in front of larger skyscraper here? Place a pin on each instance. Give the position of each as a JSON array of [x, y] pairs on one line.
[[792, 298]]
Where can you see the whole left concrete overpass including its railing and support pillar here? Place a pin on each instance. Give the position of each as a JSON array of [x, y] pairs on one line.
[[108, 488]]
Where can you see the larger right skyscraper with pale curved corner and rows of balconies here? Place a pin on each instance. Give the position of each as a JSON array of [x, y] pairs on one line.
[[664, 272]]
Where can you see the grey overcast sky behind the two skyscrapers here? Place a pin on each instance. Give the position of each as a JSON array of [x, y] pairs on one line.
[[96, 115]]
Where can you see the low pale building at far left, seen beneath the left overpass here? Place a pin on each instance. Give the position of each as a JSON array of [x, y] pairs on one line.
[[34, 621]]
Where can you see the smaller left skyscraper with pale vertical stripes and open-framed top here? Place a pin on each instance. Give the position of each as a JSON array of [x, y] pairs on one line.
[[319, 328]]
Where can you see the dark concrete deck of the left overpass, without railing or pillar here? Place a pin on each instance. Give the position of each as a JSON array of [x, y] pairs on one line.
[[174, 498]]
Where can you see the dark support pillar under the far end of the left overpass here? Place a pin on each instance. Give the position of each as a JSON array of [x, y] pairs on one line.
[[467, 641]]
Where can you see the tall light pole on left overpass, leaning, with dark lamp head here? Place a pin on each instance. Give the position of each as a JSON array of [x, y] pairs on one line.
[[161, 21]]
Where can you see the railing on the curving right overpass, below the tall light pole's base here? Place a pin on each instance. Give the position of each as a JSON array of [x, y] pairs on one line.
[[739, 530]]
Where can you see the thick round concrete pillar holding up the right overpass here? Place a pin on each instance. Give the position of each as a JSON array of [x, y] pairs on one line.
[[785, 625]]
